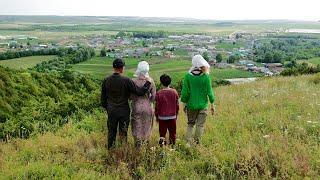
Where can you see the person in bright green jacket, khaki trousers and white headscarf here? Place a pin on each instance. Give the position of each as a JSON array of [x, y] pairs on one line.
[[196, 90]]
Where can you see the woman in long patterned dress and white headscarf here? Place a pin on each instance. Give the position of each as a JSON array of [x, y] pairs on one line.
[[142, 111]]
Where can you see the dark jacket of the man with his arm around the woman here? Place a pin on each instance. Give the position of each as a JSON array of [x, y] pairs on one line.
[[116, 90]]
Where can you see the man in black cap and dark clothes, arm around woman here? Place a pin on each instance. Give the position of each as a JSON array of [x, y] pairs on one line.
[[115, 92]]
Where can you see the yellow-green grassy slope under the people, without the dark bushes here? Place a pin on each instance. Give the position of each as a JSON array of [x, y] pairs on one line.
[[265, 129]]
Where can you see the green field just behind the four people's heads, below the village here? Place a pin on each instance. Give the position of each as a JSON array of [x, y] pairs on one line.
[[100, 67]]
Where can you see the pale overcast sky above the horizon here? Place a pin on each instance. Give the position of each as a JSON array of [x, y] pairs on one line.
[[203, 9]]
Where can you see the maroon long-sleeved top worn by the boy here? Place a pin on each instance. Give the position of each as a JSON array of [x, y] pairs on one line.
[[167, 103]]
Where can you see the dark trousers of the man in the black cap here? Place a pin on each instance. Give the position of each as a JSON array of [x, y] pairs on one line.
[[119, 118]]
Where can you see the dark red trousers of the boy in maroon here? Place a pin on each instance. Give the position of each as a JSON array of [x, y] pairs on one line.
[[169, 125]]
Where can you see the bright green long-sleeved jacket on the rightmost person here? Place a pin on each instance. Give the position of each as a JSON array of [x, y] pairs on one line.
[[196, 90]]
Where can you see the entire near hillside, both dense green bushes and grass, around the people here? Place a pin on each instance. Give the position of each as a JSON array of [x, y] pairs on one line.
[[266, 129]]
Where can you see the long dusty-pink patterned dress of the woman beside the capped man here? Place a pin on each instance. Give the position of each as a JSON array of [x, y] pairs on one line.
[[142, 111]]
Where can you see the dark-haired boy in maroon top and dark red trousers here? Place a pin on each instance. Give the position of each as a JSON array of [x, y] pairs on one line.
[[166, 110]]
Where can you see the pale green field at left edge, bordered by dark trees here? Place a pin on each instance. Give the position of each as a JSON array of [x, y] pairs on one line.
[[25, 62]]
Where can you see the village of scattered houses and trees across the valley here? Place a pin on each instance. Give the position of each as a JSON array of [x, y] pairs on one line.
[[225, 51]]
